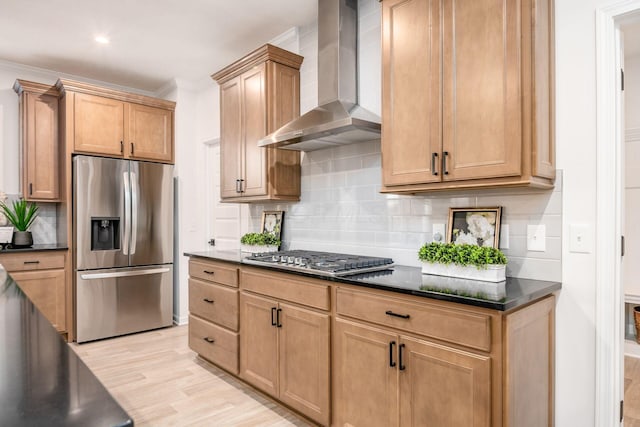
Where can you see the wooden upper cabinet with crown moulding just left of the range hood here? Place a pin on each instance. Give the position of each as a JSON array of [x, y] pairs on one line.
[[258, 94]]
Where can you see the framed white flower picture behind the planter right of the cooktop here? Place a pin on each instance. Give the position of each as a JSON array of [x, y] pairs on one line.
[[474, 226]]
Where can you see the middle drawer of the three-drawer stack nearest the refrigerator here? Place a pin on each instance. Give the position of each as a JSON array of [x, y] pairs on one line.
[[218, 304]]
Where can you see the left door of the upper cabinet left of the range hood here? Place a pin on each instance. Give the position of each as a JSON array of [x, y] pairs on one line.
[[230, 138]]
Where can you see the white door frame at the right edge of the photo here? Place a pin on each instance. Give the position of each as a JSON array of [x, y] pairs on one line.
[[609, 291]]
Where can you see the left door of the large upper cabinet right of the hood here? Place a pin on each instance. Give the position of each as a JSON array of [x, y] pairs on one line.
[[411, 135]]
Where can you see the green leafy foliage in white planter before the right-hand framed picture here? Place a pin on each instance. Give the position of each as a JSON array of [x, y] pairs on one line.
[[447, 253]]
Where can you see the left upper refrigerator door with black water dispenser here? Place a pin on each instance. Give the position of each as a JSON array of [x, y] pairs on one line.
[[100, 211]]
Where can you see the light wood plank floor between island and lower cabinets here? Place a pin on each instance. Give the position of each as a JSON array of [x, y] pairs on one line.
[[159, 381]]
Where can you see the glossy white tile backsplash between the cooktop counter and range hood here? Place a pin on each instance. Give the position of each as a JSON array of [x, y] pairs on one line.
[[342, 210]]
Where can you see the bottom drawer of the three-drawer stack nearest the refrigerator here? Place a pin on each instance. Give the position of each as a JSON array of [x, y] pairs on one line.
[[214, 343]]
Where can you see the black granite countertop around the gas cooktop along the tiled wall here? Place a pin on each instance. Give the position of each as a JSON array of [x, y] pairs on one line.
[[502, 296]]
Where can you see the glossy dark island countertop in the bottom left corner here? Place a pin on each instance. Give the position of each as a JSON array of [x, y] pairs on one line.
[[42, 381]]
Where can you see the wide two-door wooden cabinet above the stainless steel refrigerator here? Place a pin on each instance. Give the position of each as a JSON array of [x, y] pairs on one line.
[[117, 124]]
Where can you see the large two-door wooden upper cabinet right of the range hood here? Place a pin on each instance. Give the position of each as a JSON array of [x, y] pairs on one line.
[[467, 94]]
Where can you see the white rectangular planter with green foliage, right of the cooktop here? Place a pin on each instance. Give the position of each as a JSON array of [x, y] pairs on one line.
[[464, 261]]
